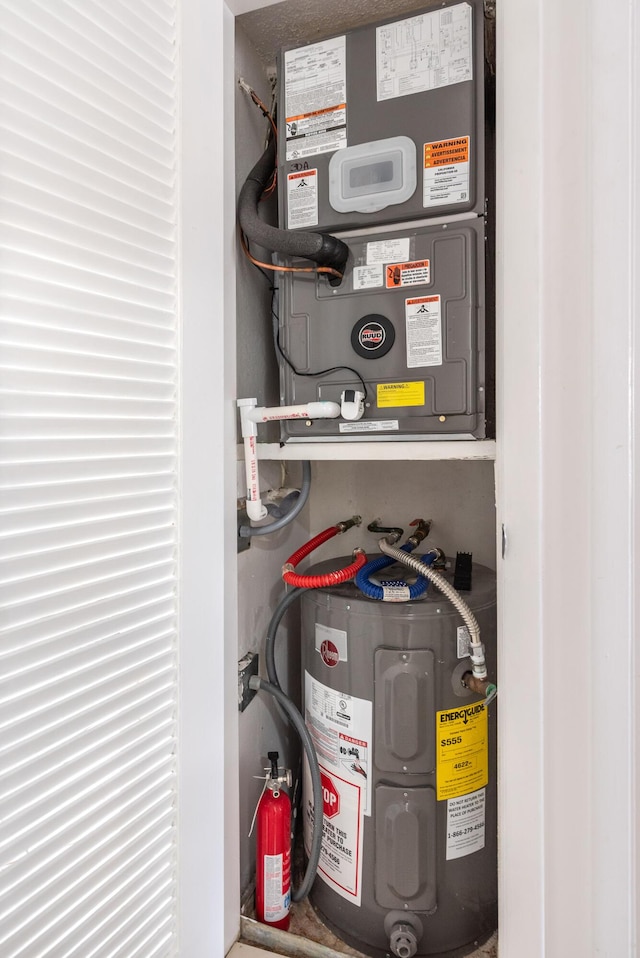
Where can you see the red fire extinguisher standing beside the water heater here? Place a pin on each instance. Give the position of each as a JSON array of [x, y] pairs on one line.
[[273, 850]]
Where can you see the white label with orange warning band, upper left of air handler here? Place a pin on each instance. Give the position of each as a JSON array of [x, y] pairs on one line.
[[315, 87]]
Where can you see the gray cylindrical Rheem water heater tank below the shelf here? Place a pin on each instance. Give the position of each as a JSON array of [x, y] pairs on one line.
[[407, 758]]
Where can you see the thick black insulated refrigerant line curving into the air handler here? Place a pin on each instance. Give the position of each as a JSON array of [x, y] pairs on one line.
[[325, 250]]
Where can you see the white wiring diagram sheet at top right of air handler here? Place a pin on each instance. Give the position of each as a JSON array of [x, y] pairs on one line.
[[424, 52]]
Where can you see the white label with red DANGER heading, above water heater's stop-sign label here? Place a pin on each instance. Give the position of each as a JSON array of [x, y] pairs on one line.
[[340, 726]]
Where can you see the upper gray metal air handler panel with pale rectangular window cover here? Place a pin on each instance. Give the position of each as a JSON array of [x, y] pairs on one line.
[[441, 113]]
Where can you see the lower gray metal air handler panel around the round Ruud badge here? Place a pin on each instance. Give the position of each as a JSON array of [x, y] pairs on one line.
[[317, 320]]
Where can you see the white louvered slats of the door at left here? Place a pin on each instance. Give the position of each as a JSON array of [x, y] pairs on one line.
[[88, 499]]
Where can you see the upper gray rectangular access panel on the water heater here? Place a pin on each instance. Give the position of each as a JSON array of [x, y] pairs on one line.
[[404, 709]]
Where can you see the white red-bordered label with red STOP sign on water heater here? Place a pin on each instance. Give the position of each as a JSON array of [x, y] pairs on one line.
[[340, 863]]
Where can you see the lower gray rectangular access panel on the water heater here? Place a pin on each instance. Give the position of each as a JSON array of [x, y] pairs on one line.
[[405, 871]]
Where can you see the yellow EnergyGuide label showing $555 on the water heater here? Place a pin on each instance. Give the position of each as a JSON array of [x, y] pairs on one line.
[[462, 750]]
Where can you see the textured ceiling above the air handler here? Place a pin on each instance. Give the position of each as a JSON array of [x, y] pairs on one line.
[[300, 21]]
